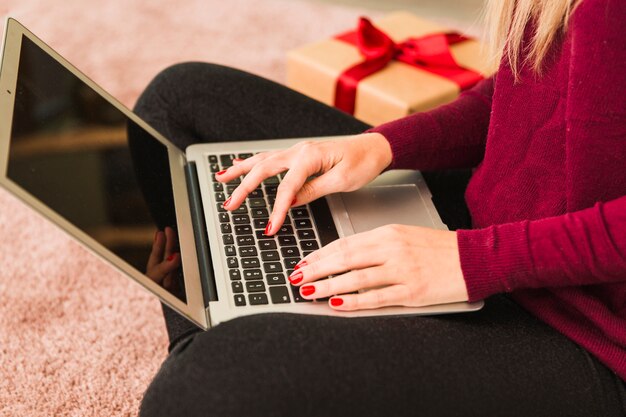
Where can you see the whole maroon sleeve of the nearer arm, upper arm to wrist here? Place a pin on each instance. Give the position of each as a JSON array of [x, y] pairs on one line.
[[588, 245]]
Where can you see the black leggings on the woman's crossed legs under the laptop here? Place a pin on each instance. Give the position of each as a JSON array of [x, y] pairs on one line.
[[500, 361]]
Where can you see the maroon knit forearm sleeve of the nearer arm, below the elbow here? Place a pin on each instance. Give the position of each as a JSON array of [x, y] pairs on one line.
[[581, 248]]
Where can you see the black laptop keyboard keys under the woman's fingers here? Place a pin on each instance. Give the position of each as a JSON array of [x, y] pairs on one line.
[[258, 265]]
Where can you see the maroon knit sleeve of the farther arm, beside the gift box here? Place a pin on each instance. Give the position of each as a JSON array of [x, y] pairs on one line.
[[450, 136]]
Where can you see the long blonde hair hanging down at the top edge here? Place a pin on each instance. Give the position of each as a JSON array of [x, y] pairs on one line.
[[505, 24]]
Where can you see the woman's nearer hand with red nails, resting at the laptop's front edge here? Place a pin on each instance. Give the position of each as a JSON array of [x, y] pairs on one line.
[[399, 266]]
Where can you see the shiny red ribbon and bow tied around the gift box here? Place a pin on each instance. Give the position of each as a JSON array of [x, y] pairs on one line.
[[430, 53]]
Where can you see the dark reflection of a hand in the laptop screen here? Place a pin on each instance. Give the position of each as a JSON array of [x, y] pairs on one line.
[[164, 260]]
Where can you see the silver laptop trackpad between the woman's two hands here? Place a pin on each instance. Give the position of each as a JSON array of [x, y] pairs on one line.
[[375, 206]]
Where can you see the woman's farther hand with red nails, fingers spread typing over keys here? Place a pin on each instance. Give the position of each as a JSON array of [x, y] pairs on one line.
[[338, 165]]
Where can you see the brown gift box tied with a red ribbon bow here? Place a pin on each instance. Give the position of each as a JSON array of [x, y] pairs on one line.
[[384, 71]]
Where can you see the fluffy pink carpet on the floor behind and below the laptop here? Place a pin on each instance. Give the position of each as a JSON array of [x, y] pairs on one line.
[[76, 337]]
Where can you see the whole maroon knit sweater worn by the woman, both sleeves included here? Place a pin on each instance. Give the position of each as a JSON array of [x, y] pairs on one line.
[[548, 196]]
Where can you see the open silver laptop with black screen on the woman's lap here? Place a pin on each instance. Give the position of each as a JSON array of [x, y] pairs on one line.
[[76, 155]]
